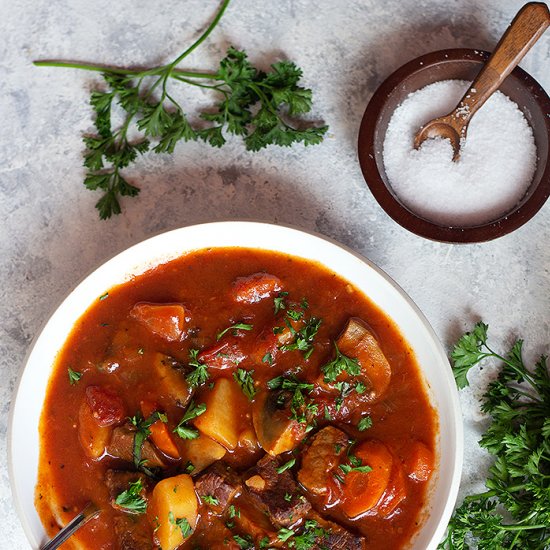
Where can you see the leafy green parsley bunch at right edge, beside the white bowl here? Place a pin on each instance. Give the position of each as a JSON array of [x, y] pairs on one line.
[[514, 512]]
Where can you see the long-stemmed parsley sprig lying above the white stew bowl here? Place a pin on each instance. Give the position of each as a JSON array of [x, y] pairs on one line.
[[257, 105]]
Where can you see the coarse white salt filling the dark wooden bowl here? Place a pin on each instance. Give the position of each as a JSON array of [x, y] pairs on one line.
[[496, 165]]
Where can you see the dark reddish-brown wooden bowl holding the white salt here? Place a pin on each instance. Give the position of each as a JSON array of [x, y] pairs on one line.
[[463, 64]]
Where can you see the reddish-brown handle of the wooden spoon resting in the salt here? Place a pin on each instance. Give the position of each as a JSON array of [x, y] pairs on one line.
[[526, 28]]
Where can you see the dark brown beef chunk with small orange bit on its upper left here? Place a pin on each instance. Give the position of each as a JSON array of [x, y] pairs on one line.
[[276, 493]]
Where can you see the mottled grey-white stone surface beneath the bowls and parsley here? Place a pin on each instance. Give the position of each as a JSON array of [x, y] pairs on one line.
[[51, 236]]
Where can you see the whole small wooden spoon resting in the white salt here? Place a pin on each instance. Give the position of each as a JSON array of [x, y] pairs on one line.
[[526, 28]]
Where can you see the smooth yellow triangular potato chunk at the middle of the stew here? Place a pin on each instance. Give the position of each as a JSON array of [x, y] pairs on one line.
[[221, 418]]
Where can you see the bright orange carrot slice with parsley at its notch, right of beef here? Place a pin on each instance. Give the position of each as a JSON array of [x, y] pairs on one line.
[[363, 490]]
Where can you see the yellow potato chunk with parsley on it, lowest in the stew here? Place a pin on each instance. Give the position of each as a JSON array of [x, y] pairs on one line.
[[173, 509]]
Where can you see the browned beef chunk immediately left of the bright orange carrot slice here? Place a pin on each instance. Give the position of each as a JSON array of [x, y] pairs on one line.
[[322, 456]]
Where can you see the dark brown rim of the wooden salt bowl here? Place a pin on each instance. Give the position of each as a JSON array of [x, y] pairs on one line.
[[405, 217]]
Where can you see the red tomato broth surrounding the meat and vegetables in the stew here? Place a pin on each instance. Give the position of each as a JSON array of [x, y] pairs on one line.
[[201, 281]]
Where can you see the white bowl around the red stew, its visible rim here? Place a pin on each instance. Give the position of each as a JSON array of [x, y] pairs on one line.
[[23, 436]]
